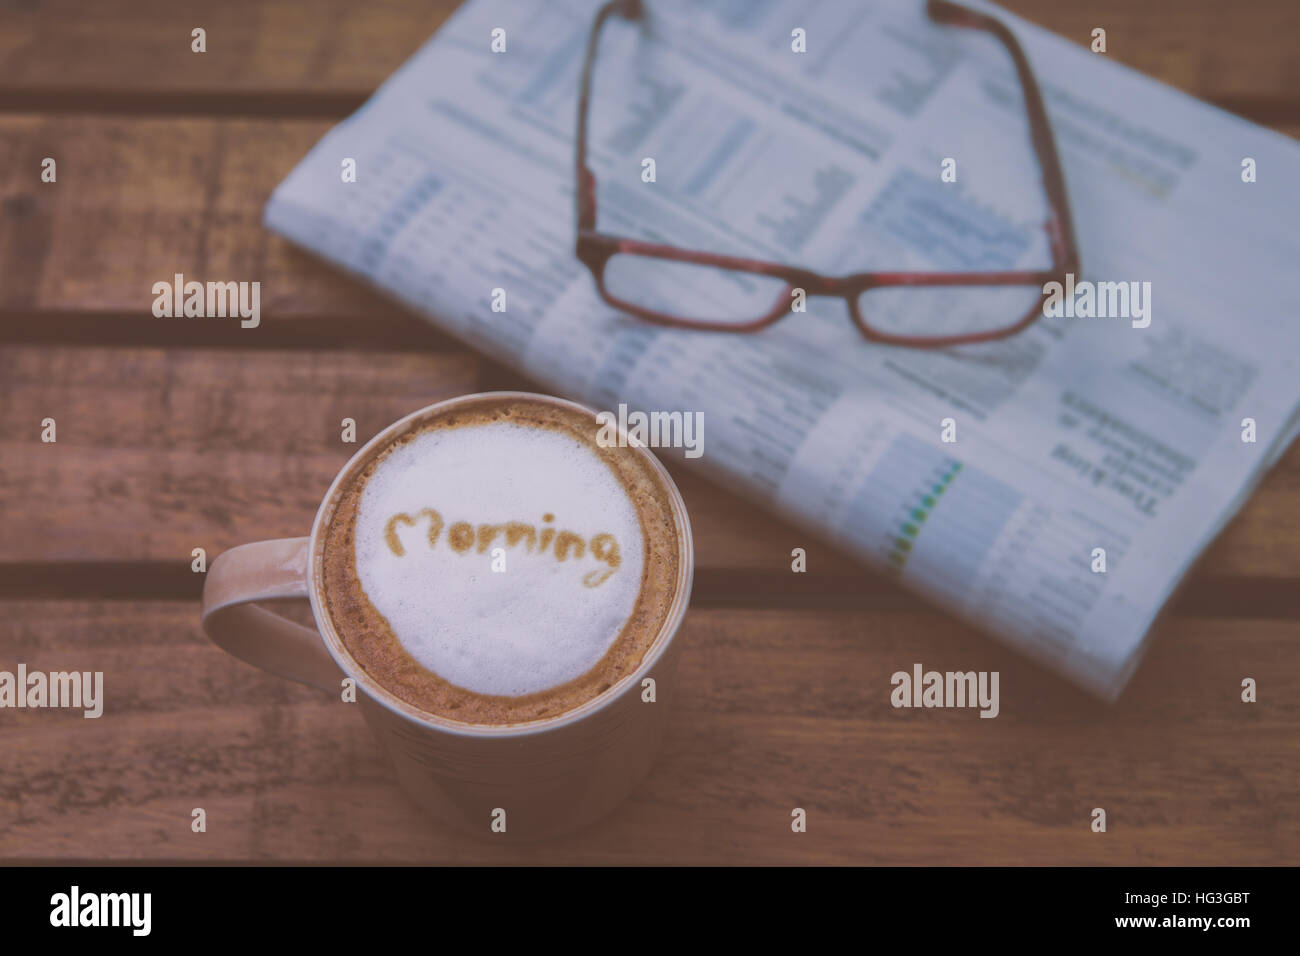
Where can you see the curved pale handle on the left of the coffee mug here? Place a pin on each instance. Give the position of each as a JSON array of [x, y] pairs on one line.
[[267, 572]]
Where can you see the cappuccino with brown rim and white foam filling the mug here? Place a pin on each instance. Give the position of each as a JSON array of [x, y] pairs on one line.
[[493, 564]]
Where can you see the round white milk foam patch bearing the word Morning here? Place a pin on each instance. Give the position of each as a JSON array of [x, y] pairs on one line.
[[443, 509]]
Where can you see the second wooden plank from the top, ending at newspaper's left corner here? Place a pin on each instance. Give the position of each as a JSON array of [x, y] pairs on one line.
[[175, 196]]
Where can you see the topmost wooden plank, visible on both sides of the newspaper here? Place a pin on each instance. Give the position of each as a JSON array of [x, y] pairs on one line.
[[333, 49]]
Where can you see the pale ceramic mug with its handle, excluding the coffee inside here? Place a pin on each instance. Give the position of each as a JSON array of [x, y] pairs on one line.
[[535, 780]]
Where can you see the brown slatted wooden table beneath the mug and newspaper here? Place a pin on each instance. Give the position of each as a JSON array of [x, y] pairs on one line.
[[176, 435]]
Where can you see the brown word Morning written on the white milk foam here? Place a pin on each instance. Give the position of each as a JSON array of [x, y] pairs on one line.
[[463, 538]]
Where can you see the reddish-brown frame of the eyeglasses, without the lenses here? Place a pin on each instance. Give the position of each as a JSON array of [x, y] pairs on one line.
[[595, 249]]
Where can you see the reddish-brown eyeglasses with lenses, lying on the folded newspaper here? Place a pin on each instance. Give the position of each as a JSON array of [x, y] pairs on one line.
[[721, 293]]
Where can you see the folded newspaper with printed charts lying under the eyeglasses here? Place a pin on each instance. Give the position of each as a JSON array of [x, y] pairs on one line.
[[1139, 435]]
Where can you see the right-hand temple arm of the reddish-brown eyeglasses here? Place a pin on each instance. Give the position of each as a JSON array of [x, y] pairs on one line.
[[1065, 253]]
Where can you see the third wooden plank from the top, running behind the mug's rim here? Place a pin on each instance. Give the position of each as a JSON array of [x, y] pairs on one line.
[[163, 451]]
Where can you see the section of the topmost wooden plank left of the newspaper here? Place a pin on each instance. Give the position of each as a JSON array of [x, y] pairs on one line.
[[253, 46]]
